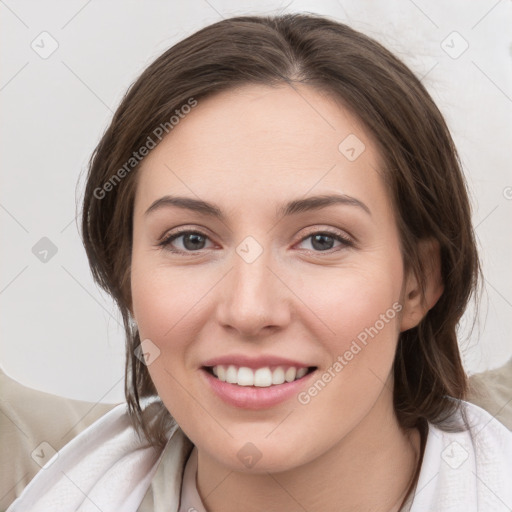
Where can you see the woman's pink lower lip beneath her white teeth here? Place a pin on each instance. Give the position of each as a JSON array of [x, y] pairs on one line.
[[252, 397]]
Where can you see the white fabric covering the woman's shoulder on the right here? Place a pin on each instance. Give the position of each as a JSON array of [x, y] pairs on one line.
[[469, 469]]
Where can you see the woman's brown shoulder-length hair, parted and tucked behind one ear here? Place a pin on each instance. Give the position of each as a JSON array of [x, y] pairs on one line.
[[422, 169]]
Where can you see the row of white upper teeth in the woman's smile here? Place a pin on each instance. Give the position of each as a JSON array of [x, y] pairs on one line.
[[262, 377]]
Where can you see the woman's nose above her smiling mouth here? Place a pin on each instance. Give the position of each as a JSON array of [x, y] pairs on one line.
[[254, 300]]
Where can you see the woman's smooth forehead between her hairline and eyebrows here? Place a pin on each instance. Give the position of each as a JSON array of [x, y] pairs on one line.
[[258, 143]]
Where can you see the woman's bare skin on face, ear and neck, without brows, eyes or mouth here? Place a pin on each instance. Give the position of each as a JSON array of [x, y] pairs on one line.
[[248, 151]]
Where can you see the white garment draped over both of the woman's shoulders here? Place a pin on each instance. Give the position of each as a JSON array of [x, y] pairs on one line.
[[108, 467]]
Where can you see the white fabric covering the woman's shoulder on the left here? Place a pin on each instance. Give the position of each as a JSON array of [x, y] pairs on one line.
[[108, 461]]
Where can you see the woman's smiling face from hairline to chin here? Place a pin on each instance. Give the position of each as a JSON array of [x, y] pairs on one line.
[[254, 284]]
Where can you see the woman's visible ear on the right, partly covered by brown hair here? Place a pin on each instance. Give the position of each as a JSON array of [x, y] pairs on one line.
[[415, 306]]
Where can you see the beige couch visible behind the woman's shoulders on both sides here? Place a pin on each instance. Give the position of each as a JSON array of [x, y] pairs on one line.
[[33, 423]]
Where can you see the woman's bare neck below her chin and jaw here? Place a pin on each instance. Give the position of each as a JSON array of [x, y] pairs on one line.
[[370, 469]]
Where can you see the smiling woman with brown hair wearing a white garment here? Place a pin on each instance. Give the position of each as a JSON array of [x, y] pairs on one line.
[[278, 210]]
